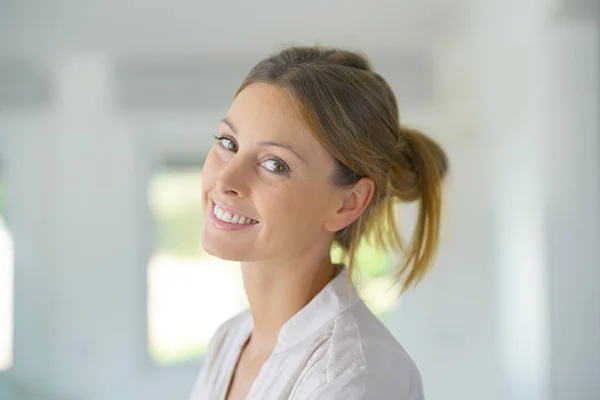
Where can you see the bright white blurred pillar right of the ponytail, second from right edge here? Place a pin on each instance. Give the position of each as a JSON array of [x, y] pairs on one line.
[[509, 50]]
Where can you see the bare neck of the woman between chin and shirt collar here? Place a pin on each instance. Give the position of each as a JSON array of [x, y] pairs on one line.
[[278, 290]]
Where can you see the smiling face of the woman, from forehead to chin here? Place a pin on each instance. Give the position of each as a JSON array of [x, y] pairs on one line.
[[267, 179]]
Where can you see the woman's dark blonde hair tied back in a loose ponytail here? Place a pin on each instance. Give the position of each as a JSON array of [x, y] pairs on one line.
[[353, 113]]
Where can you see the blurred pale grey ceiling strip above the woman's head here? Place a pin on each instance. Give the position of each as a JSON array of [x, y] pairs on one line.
[[192, 26]]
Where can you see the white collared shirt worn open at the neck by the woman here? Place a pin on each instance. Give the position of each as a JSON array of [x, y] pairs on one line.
[[333, 348]]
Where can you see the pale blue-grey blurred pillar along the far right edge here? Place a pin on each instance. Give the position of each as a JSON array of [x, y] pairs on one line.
[[571, 109]]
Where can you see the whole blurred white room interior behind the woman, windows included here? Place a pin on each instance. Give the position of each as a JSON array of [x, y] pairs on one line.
[[107, 110]]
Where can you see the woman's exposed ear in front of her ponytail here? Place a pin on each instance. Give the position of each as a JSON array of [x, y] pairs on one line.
[[354, 201]]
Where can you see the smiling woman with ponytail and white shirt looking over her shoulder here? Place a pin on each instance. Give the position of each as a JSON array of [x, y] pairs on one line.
[[311, 154]]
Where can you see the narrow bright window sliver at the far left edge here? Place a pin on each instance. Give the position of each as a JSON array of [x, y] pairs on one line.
[[6, 286]]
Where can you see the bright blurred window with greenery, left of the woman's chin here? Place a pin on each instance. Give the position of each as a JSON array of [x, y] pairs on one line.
[[190, 293]]
